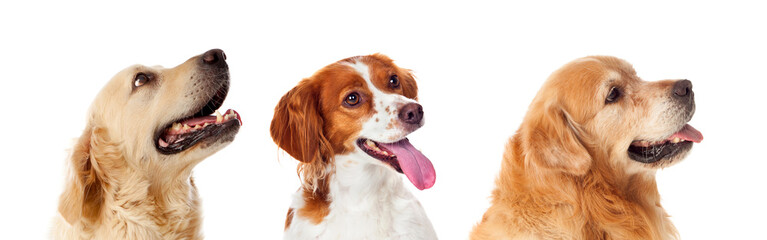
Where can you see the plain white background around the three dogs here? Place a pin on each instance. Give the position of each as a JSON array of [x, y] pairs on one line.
[[478, 65]]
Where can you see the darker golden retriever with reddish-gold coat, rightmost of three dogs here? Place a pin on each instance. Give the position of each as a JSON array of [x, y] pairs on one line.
[[582, 165]]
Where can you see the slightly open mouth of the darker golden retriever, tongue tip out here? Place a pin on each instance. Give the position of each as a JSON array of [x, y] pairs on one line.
[[653, 151]]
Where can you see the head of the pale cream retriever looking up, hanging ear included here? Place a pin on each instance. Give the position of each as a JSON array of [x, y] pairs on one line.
[[155, 120]]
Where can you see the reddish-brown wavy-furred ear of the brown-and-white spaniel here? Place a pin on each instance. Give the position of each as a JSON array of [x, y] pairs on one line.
[[297, 126]]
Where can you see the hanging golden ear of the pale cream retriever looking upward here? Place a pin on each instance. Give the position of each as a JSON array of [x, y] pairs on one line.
[[84, 194]]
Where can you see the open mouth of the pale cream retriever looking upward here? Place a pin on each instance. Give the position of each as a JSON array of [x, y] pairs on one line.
[[207, 123]]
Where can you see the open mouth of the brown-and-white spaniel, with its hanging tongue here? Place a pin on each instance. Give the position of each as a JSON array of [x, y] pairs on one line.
[[403, 158]]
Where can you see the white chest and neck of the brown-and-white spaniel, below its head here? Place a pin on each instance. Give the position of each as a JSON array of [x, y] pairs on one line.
[[358, 192]]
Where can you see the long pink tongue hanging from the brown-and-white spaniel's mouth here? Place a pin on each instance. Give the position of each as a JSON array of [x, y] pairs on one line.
[[413, 163]]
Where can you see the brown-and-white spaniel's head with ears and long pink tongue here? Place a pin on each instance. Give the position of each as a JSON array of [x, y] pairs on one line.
[[361, 105]]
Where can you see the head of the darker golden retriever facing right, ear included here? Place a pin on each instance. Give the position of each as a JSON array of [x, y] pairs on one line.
[[599, 106]]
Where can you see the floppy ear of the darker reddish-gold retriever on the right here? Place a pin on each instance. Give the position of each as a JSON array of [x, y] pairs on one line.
[[551, 141]]
